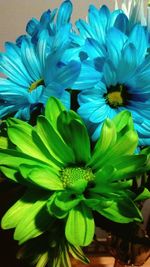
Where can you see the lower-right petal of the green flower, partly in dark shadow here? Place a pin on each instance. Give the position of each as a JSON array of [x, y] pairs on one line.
[[122, 210]]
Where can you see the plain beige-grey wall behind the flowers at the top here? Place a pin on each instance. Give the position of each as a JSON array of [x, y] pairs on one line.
[[14, 14]]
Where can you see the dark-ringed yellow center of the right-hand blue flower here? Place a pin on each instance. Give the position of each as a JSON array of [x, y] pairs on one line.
[[117, 96]]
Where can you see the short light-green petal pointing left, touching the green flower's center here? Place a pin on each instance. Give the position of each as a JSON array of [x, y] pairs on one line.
[[46, 177]]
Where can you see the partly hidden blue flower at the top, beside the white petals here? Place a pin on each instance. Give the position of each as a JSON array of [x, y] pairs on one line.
[[99, 22]]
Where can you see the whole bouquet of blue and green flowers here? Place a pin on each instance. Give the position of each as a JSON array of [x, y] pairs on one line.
[[75, 133]]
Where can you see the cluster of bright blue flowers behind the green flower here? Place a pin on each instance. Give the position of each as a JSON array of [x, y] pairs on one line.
[[104, 62]]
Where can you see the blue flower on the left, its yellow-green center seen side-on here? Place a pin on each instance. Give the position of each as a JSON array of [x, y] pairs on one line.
[[34, 72]]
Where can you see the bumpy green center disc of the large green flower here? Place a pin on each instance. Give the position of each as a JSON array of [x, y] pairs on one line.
[[71, 177]]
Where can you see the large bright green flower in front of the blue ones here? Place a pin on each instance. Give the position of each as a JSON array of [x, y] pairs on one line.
[[65, 179]]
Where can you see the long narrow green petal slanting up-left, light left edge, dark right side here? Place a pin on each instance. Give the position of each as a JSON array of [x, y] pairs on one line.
[[54, 144]]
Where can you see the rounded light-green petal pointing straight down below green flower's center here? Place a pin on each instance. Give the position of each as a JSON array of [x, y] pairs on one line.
[[80, 226]]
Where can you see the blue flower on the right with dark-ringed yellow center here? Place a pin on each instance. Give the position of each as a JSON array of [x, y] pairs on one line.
[[125, 84]]
